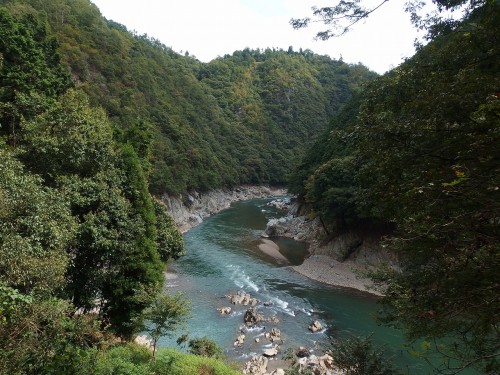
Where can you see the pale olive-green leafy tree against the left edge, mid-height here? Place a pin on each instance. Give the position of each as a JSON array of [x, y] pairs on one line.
[[33, 240]]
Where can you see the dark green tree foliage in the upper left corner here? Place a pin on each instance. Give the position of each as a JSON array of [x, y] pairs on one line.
[[30, 73]]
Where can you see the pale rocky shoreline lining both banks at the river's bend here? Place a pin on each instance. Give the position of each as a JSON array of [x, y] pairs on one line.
[[338, 263]]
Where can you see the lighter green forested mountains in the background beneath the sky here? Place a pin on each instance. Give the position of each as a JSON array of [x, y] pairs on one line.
[[239, 119]]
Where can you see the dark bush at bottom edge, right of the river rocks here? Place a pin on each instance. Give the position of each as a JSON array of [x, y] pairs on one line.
[[358, 356]]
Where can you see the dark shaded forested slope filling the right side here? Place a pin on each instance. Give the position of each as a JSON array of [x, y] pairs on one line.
[[419, 148]]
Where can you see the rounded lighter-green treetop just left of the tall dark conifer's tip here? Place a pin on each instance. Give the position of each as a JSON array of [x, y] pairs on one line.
[[70, 138]]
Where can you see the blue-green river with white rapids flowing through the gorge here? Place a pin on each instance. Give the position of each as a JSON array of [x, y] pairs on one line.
[[223, 257]]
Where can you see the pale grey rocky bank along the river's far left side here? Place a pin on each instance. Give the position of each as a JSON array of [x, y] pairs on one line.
[[189, 210]]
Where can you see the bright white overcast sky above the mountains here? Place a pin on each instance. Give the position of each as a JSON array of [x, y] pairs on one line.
[[207, 29]]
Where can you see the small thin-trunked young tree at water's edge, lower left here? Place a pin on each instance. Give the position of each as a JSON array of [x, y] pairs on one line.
[[164, 316]]
